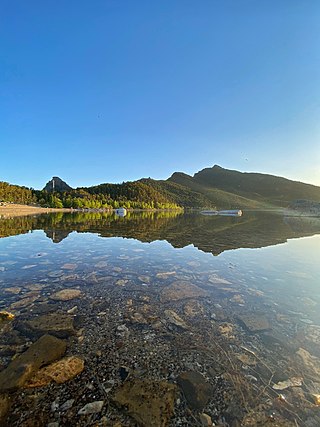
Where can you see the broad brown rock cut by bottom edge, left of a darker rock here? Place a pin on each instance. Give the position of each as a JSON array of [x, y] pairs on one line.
[[150, 403]]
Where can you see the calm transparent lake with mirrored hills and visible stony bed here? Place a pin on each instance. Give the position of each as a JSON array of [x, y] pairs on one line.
[[197, 314]]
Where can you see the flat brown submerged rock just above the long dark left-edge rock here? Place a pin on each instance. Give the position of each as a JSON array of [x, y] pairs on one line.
[[58, 324]]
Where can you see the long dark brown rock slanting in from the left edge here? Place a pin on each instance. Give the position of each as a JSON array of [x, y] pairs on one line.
[[45, 350]]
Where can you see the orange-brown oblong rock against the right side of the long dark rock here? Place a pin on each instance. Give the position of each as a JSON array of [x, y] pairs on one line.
[[59, 372]]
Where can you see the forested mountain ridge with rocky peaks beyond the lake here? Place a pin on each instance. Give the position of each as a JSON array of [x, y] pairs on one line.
[[212, 187]]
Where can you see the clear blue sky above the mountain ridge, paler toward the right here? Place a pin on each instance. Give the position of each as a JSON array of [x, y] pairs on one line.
[[115, 90]]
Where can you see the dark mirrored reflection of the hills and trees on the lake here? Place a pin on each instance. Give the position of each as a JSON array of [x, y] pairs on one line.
[[213, 234]]
